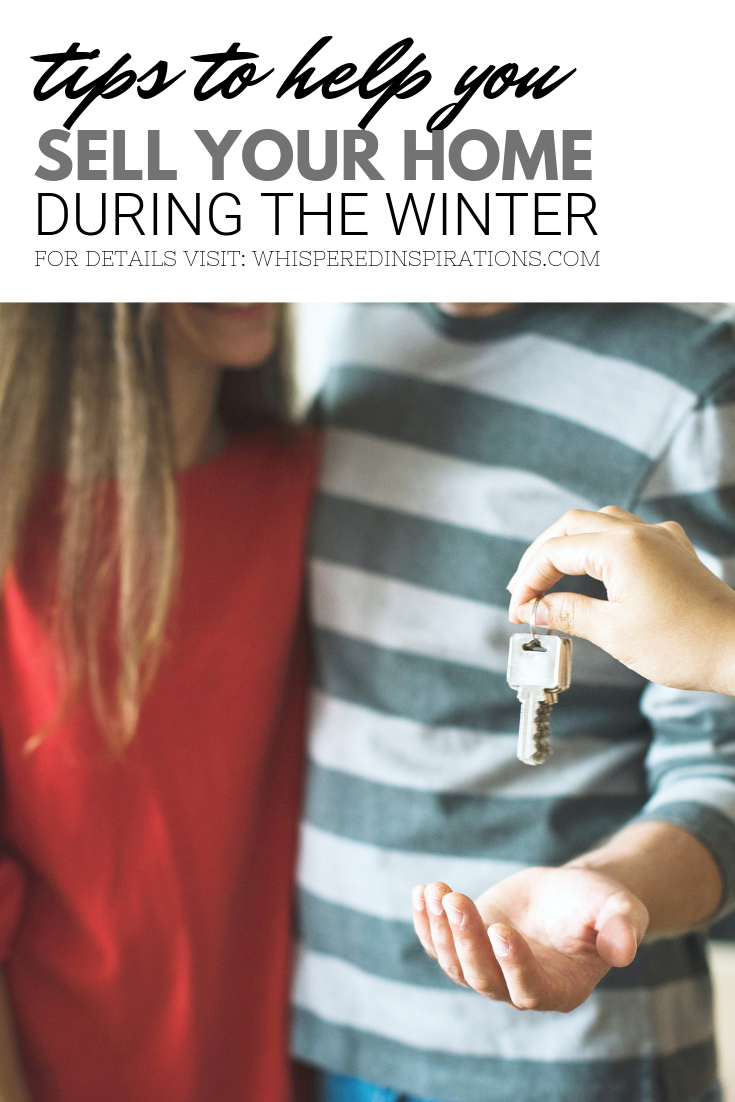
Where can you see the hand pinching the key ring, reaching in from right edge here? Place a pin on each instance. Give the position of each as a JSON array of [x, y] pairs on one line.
[[667, 617]]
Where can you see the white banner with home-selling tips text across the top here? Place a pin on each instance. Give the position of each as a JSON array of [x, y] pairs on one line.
[[220, 152]]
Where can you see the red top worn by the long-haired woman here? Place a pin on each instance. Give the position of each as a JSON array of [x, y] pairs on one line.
[[145, 901]]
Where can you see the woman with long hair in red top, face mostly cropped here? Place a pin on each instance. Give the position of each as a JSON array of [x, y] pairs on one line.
[[153, 674]]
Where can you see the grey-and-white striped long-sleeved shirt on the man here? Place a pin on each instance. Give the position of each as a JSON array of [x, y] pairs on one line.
[[450, 446]]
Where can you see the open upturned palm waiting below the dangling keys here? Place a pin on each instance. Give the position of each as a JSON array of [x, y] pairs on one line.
[[542, 939]]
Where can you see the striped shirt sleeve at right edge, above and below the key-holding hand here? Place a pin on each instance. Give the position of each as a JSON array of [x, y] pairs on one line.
[[691, 762]]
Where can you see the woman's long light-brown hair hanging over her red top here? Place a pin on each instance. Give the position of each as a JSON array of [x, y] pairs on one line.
[[83, 390]]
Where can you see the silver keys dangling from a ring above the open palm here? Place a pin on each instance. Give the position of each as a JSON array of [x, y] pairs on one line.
[[539, 668]]
